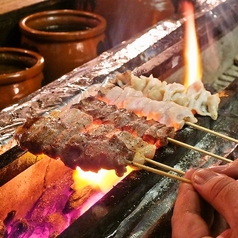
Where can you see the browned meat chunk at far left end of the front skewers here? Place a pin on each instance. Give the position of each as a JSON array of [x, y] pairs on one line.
[[39, 134]]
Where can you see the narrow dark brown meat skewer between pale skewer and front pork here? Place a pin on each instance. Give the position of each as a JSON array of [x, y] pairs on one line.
[[150, 130]]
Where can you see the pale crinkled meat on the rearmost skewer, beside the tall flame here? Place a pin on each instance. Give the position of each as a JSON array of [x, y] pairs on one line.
[[196, 97]]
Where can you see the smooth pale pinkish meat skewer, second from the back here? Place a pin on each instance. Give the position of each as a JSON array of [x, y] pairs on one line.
[[167, 113]]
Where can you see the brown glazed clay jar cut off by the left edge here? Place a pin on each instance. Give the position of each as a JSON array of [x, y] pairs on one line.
[[20, 74]]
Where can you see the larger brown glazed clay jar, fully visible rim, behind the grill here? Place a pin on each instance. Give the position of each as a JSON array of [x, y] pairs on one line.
[[65, 38]]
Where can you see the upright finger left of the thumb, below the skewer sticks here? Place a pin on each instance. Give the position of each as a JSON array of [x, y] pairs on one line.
[[188, 208]]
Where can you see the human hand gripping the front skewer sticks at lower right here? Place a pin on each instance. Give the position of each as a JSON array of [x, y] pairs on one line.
[[209, 206]]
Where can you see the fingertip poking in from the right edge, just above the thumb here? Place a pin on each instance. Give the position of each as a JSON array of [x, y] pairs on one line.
[[230, 169]]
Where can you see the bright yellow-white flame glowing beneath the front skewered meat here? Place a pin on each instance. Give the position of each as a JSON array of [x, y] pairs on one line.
[[102, 182]]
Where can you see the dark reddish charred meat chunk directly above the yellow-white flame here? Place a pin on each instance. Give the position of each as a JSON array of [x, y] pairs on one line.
[[93, 153]]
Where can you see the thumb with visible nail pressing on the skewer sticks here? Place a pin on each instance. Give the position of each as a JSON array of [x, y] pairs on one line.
[[220, 191]]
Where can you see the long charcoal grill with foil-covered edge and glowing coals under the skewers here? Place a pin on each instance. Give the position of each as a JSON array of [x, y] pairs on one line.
[[141, 204]]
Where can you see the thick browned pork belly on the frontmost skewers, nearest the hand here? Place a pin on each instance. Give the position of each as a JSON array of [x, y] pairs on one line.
[[72, 136]]
